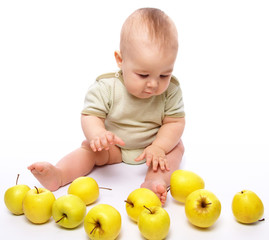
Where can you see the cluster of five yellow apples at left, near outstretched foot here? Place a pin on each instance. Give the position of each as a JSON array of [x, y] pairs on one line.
[[68, 211]]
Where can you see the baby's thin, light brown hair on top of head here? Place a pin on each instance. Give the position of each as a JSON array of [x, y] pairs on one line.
[[151, 21]]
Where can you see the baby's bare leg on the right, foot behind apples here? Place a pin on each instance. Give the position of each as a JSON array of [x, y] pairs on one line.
[[160, 180]]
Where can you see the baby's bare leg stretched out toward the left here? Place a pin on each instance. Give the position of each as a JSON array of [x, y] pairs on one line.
[[78, 163]]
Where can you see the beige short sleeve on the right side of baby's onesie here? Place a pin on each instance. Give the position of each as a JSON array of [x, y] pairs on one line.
[[174, 106]]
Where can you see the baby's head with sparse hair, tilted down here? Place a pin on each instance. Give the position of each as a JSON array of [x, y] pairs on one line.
[[148, 50]]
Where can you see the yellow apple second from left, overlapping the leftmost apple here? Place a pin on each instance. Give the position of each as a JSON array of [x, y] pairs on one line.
[[37, 205]]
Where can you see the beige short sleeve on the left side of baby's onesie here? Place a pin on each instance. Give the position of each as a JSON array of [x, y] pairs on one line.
[[97, 100]]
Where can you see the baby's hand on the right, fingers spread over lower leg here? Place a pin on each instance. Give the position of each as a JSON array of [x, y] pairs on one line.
[[156, 156]]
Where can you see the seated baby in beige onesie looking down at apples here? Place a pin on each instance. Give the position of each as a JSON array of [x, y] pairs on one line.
[[135, 115]]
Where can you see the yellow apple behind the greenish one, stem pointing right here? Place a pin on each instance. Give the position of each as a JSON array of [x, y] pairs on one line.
[[86, 188]]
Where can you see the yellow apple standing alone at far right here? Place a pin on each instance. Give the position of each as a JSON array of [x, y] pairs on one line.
[[247, 207]]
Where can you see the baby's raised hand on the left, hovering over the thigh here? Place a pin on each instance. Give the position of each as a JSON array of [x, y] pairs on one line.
[[104, 140]]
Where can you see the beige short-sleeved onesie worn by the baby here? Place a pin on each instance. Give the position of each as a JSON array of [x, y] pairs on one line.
[[136, 121]]
